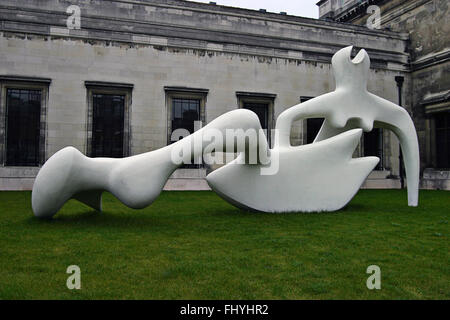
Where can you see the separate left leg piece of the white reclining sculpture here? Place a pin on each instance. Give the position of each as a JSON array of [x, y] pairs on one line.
[[136, 181]]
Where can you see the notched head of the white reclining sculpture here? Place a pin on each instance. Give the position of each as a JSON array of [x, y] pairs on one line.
[[348, 71]]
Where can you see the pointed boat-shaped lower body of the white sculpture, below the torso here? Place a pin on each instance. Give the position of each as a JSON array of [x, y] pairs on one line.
[[315, 177]]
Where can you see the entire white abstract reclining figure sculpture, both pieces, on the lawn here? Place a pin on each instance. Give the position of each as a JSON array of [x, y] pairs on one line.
[[321, 176]]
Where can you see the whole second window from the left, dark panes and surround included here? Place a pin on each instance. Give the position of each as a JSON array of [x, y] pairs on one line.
[[108, 119]]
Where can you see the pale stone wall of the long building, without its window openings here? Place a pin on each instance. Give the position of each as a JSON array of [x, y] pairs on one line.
[[146, 47]]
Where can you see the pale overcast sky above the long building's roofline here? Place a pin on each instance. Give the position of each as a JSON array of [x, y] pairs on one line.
[[304, 8]]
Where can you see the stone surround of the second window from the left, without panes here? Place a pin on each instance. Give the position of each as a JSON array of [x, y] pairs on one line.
[[109, 88]]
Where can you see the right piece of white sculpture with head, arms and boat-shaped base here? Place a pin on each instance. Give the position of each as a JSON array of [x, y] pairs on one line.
[[306, 184]]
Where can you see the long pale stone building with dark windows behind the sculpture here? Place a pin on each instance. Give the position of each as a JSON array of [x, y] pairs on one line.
[[134, 71]]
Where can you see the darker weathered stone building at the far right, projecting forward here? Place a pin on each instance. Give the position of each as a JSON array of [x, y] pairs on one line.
[[428, 25]]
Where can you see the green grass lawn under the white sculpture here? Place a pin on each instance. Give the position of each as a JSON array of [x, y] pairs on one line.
[[193, 245]]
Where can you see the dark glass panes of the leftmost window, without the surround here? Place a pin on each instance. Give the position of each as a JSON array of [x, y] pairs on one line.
[[23, 127]]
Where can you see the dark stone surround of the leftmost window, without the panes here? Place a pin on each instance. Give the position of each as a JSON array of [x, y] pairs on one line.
[[24, 83]]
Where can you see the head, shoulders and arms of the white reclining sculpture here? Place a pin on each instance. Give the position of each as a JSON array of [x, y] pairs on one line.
[[352, 106]]
